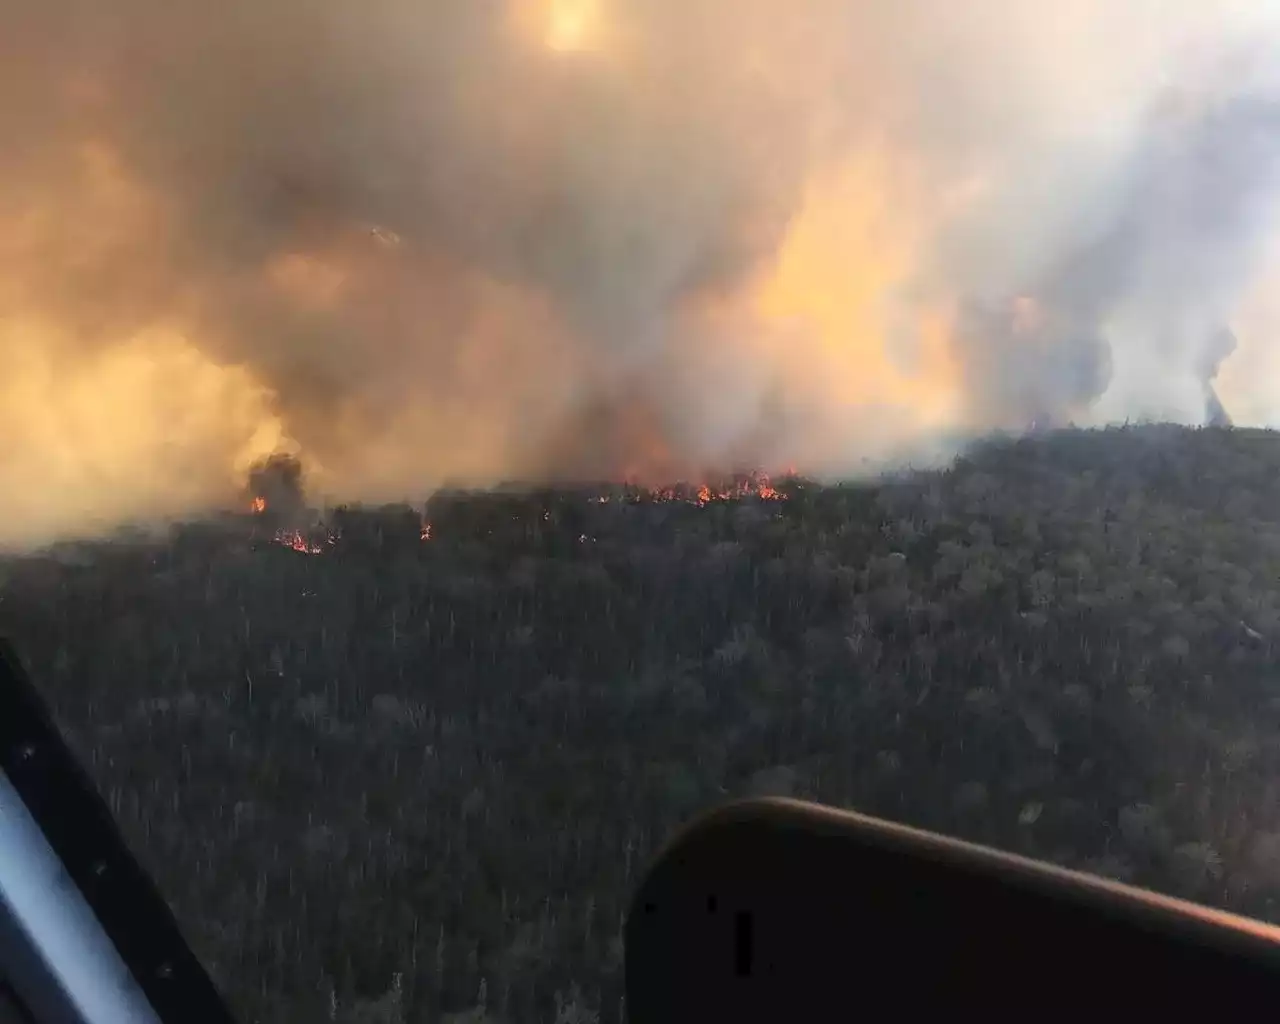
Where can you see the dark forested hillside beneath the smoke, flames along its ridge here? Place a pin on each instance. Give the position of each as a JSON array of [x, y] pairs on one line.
[[410, 769]]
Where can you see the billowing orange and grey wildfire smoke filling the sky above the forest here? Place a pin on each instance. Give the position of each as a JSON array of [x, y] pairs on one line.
[[472, 240]]
